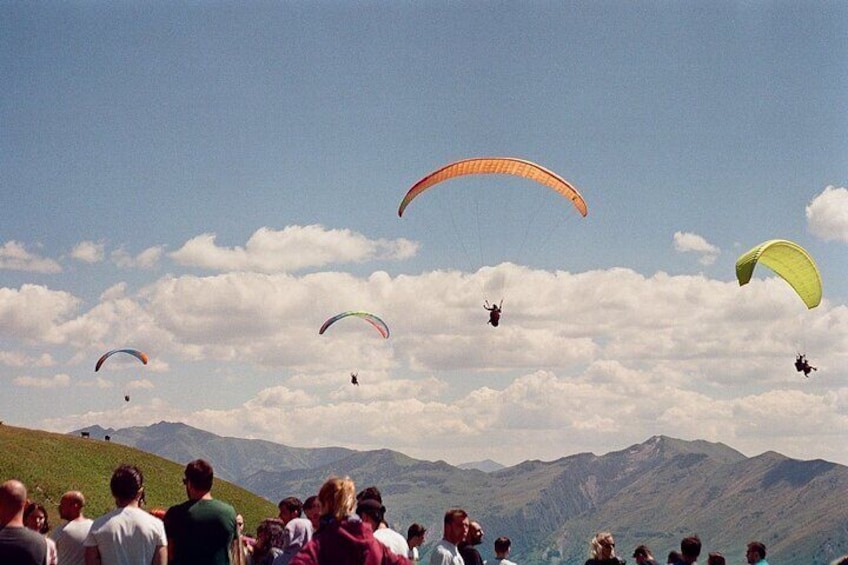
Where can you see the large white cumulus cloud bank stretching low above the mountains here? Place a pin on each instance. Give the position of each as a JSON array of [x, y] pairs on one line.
[[588, 361]]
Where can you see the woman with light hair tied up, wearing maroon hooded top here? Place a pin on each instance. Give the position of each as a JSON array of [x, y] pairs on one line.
[[343, 539]]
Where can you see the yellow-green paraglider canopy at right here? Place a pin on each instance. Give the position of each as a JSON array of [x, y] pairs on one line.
[[790, 261]]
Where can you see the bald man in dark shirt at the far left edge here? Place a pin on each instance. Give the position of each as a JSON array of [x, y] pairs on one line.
[[18, 544]]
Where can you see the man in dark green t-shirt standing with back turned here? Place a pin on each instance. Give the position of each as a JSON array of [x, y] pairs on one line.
[[200, 530]]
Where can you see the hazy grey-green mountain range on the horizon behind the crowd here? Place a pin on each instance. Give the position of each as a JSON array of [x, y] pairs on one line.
[[656, 493]]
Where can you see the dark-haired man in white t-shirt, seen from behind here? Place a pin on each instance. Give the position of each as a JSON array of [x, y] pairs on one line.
[[127, 535]]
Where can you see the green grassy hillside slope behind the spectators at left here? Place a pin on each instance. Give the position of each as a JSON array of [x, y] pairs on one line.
[[50, 464]]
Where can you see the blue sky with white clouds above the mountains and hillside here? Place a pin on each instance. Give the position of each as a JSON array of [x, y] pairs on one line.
[[209, 181]]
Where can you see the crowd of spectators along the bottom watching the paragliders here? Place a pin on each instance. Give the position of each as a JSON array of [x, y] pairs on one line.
[[337, 526]]
